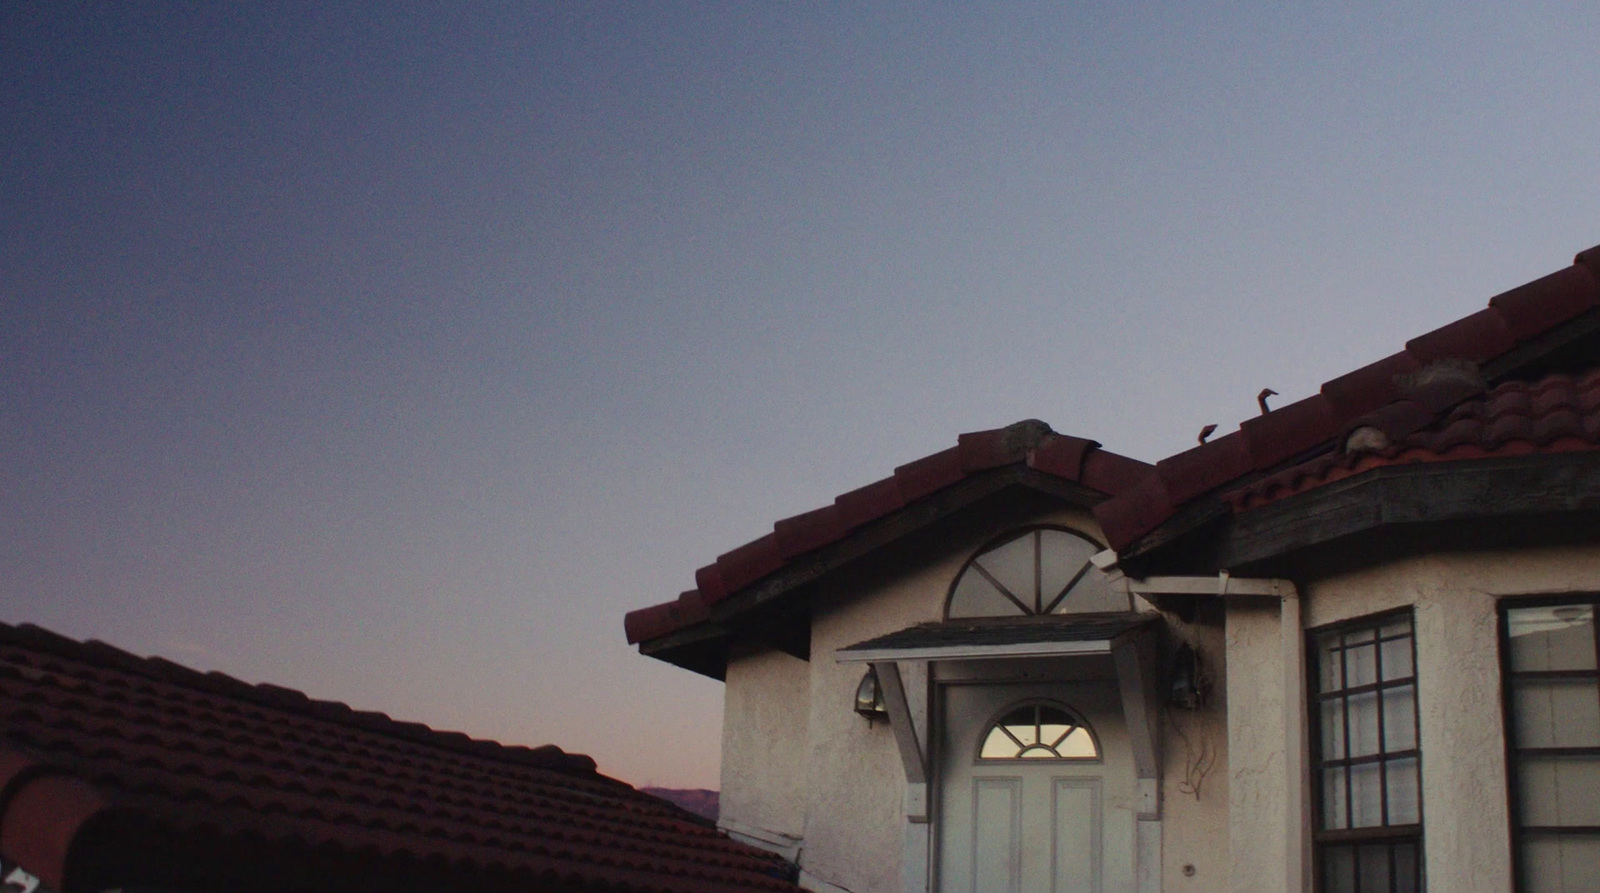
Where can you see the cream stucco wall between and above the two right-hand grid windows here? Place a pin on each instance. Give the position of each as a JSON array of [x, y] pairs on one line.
[[1466, 815]]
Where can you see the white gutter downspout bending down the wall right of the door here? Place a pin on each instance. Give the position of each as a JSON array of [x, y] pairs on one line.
[[1292, 646]]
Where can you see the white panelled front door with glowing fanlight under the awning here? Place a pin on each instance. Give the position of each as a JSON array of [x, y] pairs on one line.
[[1036, 790]]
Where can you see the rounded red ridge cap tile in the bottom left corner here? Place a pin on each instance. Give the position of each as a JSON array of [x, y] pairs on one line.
[[42, 820]]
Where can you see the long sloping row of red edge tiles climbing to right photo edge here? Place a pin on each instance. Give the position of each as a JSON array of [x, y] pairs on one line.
[[1263, 444]]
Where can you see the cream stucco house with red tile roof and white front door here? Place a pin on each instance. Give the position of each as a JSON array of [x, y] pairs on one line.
[[1348, 647]]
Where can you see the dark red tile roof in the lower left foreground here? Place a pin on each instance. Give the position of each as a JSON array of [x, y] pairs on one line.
[[92, 737]]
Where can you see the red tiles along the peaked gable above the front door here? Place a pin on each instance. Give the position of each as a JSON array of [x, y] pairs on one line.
[[1030, 444]]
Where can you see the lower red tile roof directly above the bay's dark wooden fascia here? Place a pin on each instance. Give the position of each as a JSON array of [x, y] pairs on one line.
[[1559, 414]]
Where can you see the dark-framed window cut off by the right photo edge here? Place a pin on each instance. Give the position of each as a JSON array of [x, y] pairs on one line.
[[1553, 691]]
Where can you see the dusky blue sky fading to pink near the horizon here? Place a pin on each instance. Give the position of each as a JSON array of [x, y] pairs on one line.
[[394, 351]]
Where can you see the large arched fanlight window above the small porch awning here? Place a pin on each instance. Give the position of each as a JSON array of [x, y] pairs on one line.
[[1042, 571]]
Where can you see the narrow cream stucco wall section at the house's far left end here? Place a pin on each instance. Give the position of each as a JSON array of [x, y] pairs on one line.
[[766, 743]]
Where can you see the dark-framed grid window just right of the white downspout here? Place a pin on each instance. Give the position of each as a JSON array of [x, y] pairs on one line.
[[1367, 764]]
